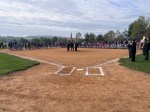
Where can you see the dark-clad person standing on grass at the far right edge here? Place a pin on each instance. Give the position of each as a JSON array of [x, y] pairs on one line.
[[146, 48]]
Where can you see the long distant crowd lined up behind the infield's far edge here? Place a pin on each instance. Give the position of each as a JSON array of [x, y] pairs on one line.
[[102, 44]]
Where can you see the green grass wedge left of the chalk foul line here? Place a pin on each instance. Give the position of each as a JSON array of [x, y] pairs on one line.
[[9, 63]]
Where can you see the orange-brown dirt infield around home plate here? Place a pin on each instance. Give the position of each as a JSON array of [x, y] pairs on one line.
[[51, 88]]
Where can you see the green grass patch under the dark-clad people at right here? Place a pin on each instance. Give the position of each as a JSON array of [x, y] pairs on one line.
[[140, 64]]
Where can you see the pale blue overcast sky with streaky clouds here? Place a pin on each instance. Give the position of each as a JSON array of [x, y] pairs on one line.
[[61, 17]]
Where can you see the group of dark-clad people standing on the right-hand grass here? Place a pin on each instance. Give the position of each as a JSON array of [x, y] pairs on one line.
[[145, 46]]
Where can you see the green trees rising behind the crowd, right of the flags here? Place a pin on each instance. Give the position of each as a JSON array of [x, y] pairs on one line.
[[136, 30]]
